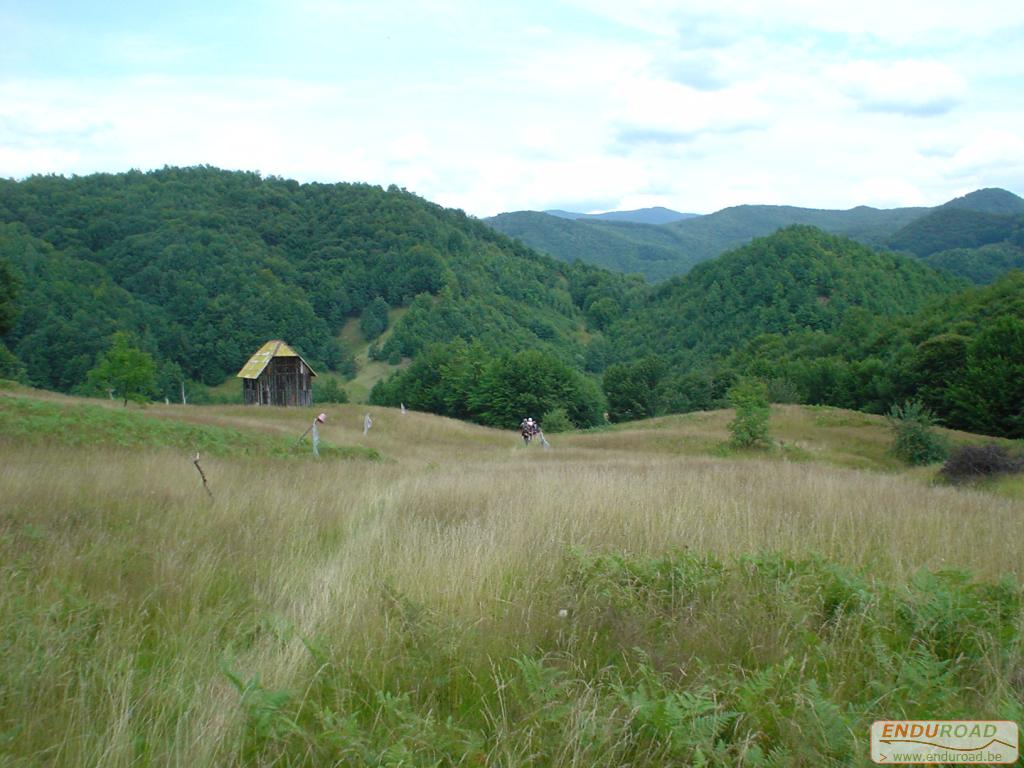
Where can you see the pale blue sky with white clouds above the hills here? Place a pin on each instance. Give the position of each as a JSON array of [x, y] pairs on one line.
[[493, 106]]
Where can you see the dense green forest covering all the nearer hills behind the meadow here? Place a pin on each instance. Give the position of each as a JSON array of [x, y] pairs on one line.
[[197, 268]]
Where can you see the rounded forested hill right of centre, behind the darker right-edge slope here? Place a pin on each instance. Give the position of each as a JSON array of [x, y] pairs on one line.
[[799, 279]]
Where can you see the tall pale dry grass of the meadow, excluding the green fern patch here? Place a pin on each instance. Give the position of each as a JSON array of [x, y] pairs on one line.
[[130, 601]]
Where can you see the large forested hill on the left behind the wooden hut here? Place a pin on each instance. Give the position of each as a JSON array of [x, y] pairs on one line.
[[203, 266]]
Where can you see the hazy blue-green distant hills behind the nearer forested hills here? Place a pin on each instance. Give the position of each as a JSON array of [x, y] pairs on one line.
[[984, 228]]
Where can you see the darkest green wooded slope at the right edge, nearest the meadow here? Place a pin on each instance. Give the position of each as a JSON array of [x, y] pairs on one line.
[[962, 355]]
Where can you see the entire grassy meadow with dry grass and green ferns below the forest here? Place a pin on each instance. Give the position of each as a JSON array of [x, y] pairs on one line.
[[435, 593]]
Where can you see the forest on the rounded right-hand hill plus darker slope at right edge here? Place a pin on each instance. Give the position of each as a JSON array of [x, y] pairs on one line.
[[825, 321]]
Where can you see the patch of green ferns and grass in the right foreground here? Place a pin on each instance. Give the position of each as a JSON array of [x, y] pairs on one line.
[[651, 662]]
